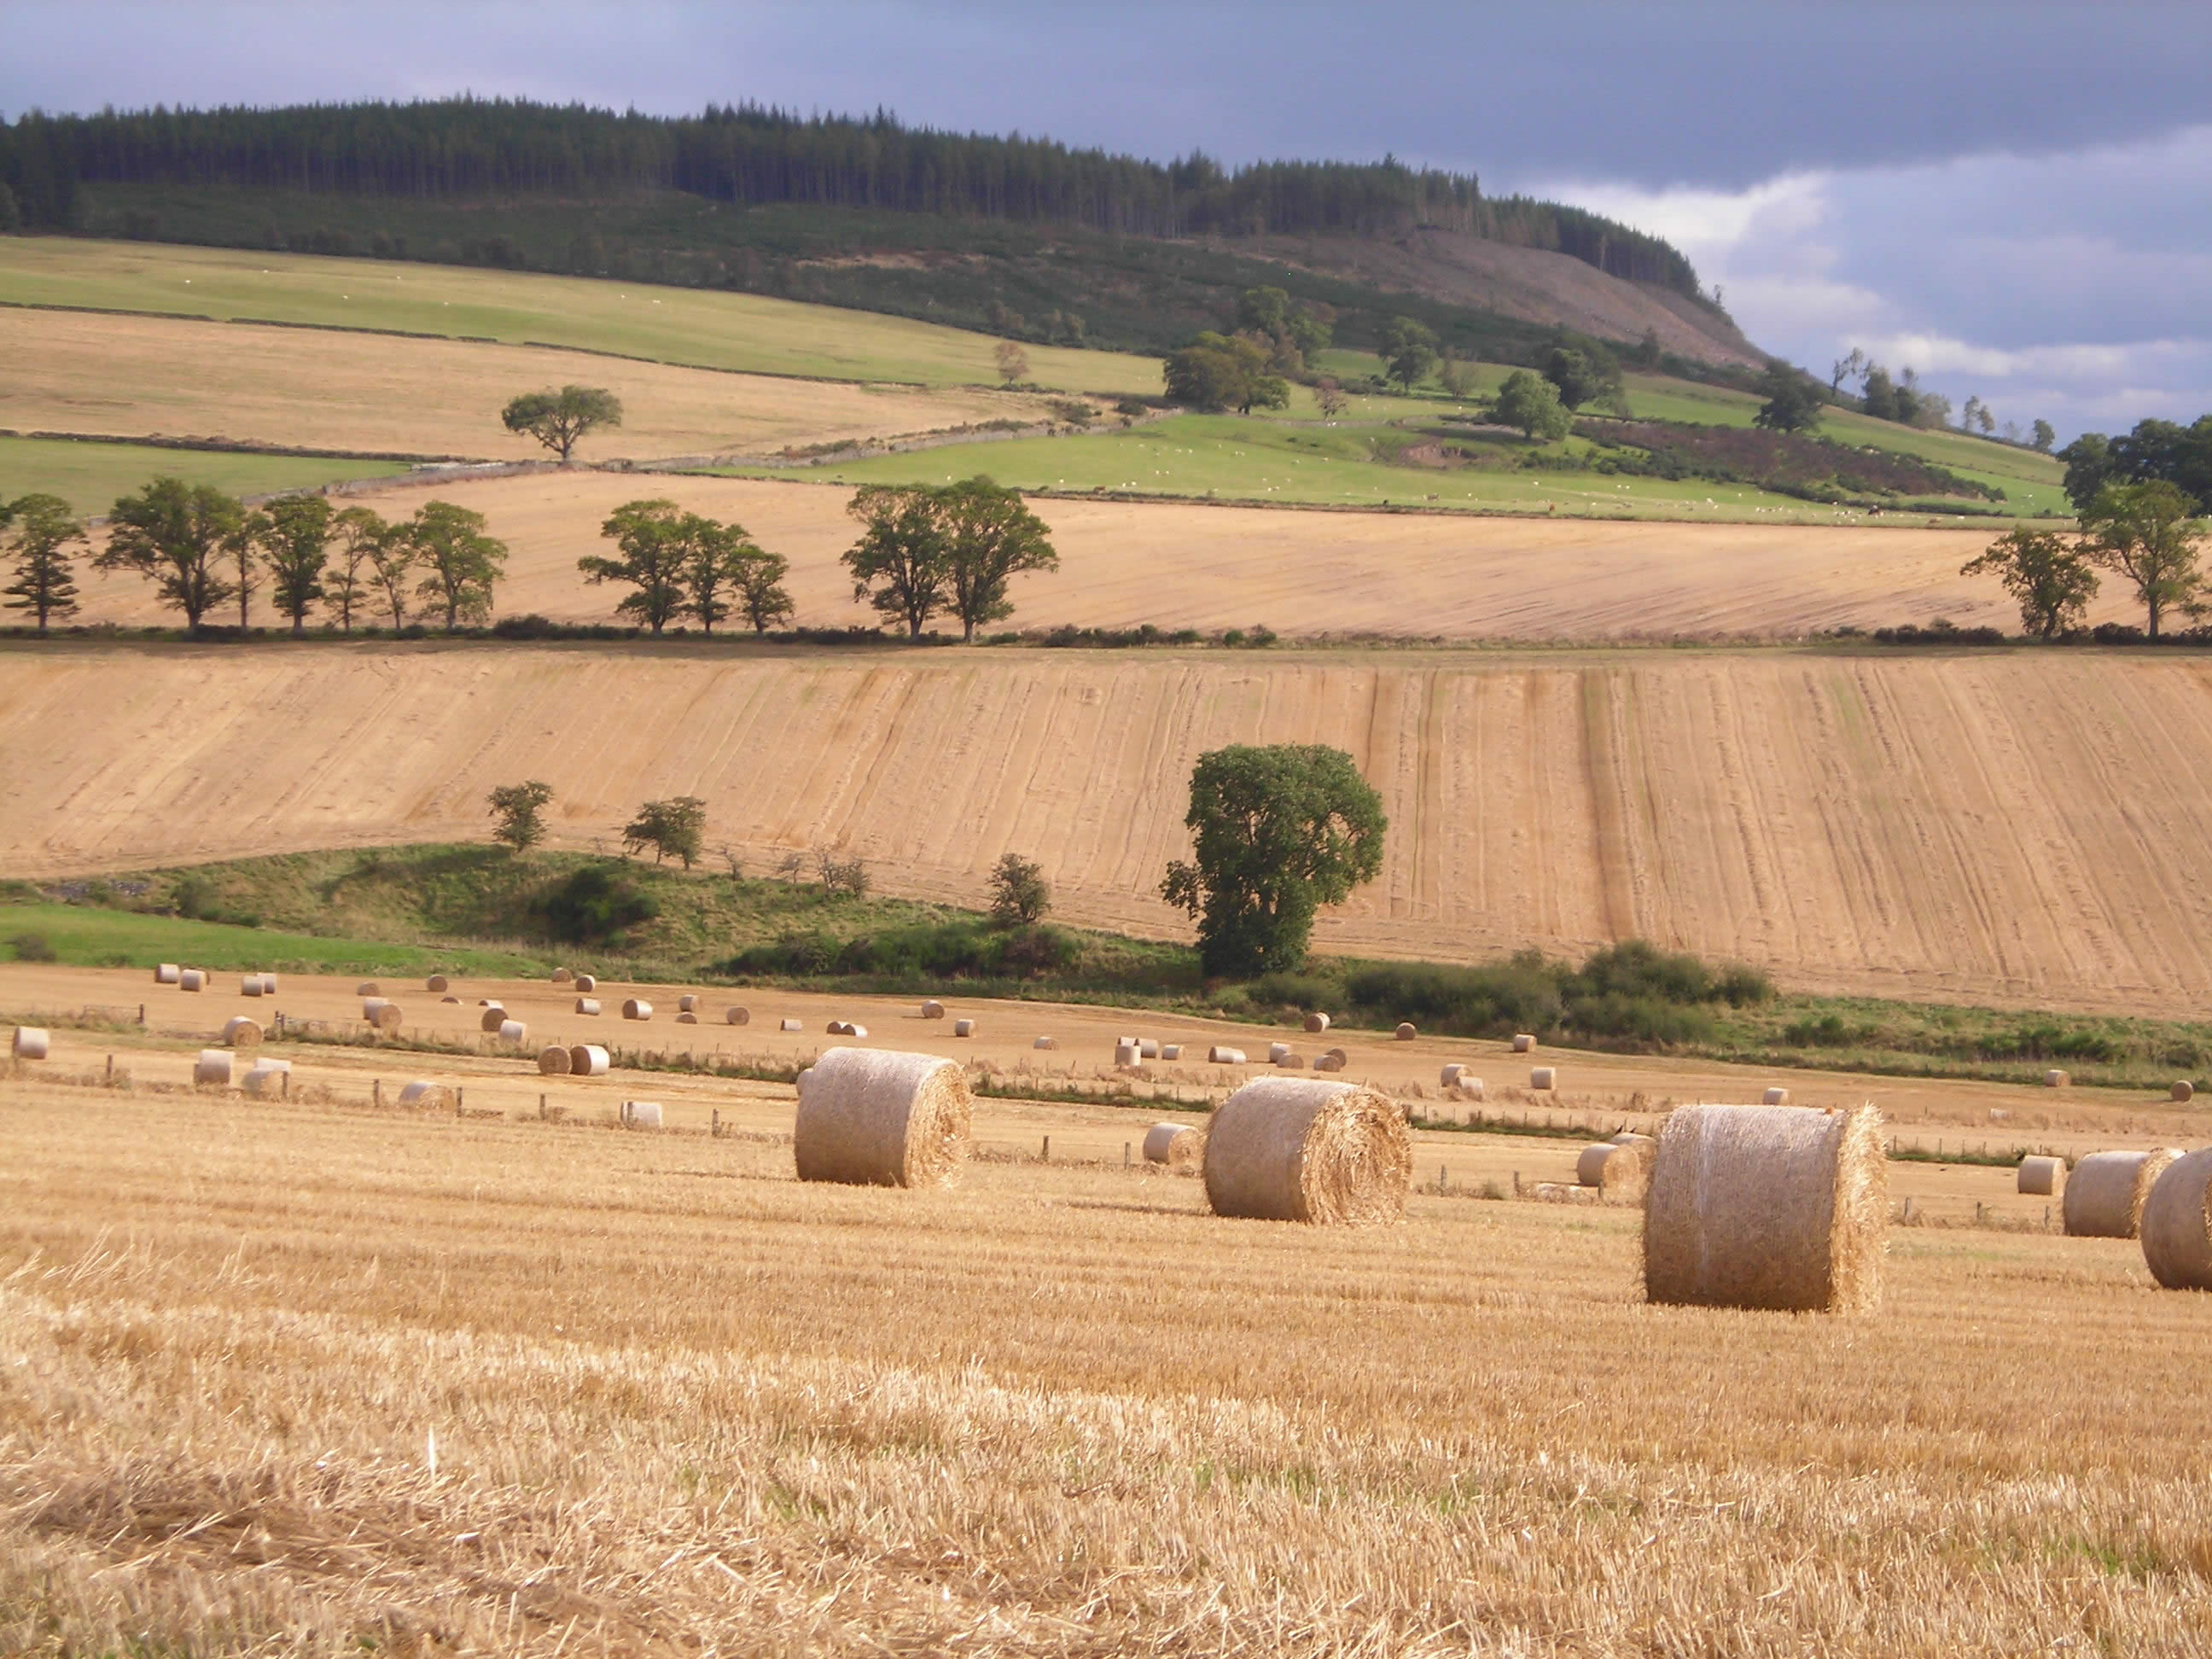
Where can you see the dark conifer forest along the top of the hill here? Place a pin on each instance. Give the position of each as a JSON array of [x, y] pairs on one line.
[[753, 154]]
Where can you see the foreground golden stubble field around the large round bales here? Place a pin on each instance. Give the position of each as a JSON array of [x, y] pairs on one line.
[[317, 1377]]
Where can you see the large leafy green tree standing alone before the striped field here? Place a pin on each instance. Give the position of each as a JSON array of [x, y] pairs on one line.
[[1277, 835]]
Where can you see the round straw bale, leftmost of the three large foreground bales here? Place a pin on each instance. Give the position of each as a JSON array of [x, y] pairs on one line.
[[881, 1118]]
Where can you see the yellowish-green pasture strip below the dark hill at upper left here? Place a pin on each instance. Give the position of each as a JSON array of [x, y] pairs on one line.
[[687, 326]]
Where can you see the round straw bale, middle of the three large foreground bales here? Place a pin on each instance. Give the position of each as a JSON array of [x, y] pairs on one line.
[[1300, 1149]]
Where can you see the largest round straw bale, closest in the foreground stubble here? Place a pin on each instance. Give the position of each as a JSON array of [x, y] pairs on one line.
[[1768, 1207]]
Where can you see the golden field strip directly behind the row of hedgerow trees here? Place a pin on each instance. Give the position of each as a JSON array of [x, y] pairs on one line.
[[1302, 574]]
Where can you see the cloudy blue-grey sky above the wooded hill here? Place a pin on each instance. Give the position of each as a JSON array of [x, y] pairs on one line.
[[2007, 198]]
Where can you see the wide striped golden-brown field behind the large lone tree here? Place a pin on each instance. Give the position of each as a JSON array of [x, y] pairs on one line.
[[2012, 828]]
